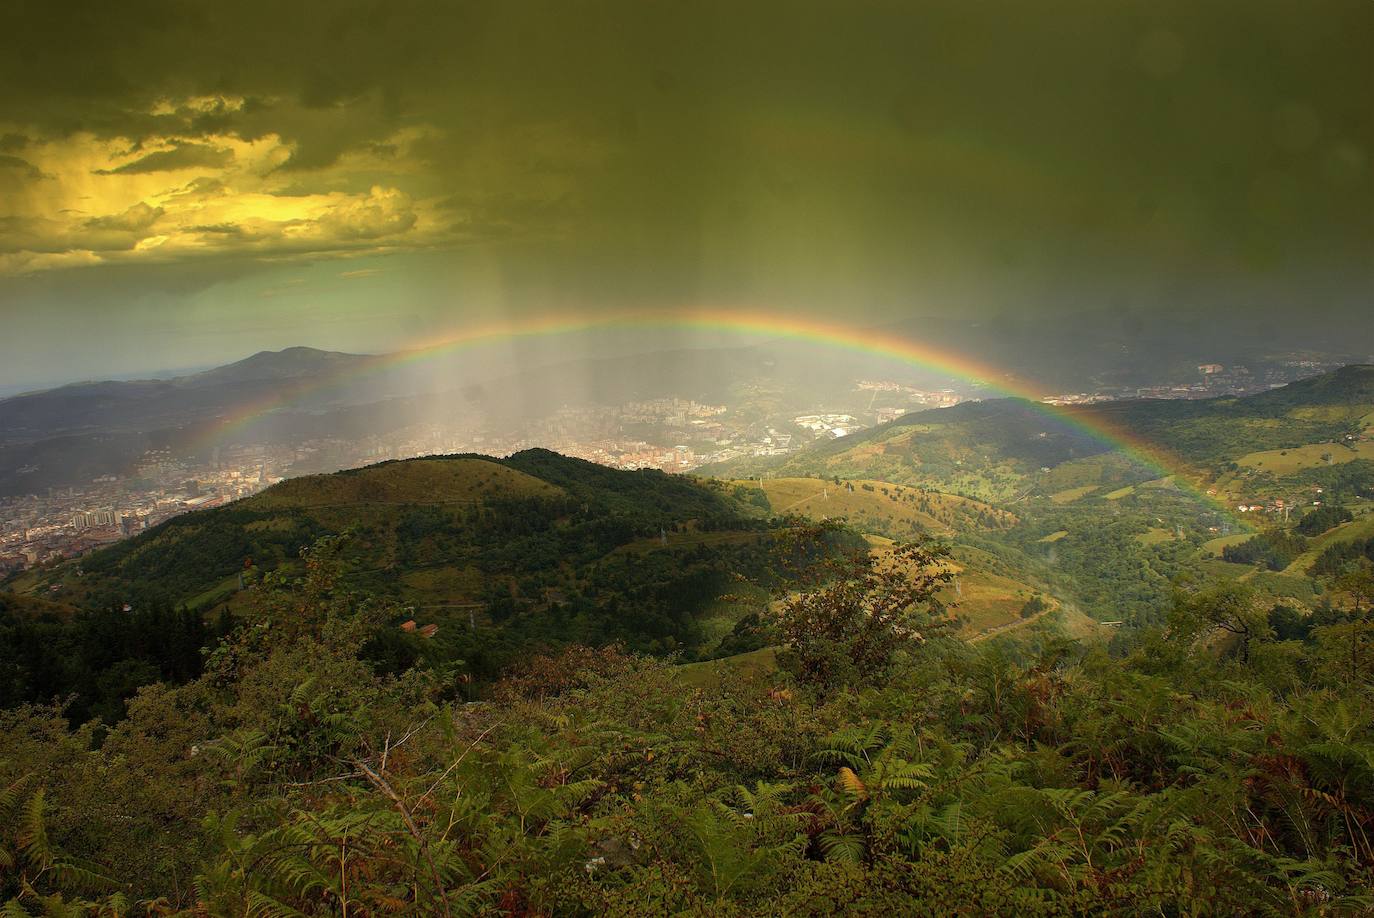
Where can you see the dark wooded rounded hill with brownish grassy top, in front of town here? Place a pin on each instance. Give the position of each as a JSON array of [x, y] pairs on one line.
[[504, 556]]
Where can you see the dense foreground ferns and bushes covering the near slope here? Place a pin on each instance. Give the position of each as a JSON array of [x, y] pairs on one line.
[[1224, 763]]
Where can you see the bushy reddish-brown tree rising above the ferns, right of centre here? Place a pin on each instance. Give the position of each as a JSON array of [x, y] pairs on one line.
[[866, 607]]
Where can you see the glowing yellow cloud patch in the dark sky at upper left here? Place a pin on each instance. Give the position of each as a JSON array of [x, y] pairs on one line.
[[85, 200]]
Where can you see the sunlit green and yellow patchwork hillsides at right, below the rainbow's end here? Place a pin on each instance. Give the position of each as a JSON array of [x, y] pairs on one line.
[[1093, 526]]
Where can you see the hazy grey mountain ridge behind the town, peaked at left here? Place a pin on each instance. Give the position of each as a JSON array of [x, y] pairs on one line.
[[71, 435]]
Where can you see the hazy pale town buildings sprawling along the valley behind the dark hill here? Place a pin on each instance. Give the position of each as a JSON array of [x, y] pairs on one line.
[[673, 435]]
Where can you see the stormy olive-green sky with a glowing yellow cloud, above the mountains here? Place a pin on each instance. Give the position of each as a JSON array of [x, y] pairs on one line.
[[186, 183]]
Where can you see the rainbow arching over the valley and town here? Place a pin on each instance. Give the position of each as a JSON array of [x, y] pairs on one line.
[[770, 325]]
